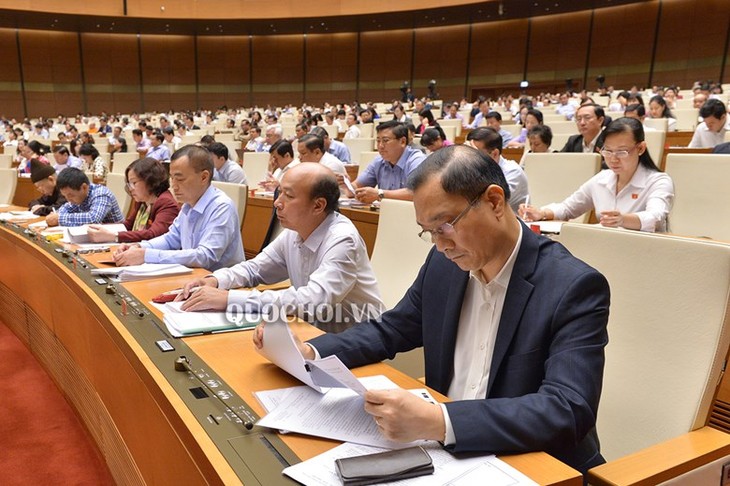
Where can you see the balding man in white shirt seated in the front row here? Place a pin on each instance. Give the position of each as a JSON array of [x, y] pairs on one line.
[[320, 251]]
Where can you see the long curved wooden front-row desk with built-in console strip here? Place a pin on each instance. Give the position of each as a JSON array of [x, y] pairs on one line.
[[154, 424]]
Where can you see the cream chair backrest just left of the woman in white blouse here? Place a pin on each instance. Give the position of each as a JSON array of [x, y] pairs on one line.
[[553, 177]]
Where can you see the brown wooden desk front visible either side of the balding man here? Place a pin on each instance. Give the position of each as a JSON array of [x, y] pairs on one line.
[[258, 215]]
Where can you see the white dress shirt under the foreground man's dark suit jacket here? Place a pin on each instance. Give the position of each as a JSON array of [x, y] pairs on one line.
[[476, 336]]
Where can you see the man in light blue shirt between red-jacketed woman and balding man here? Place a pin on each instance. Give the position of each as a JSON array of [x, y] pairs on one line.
[[206, 233]]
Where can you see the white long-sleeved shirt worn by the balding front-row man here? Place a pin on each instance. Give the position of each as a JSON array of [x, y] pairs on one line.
[[329, 271]]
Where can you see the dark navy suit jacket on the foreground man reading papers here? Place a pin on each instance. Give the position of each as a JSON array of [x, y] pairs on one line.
[[547, 368]]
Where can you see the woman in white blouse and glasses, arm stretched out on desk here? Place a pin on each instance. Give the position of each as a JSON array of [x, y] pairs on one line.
[[632, 193]]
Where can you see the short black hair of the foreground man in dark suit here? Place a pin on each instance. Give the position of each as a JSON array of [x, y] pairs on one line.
[[464, 171]]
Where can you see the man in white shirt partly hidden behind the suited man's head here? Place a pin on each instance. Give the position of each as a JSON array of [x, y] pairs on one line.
[[489, 142]]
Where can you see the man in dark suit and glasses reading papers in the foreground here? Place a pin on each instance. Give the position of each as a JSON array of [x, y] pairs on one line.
[[513, 327]]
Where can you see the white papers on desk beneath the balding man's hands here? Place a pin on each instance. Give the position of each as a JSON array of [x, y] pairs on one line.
[[181, 323]]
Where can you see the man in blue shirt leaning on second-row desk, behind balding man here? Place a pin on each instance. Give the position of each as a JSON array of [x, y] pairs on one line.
[[390, 170]]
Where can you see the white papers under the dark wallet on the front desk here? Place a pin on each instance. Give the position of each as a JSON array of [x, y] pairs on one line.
[[449, 469]]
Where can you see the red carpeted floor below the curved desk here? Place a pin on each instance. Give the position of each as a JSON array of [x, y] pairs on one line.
[[42, 440]]
